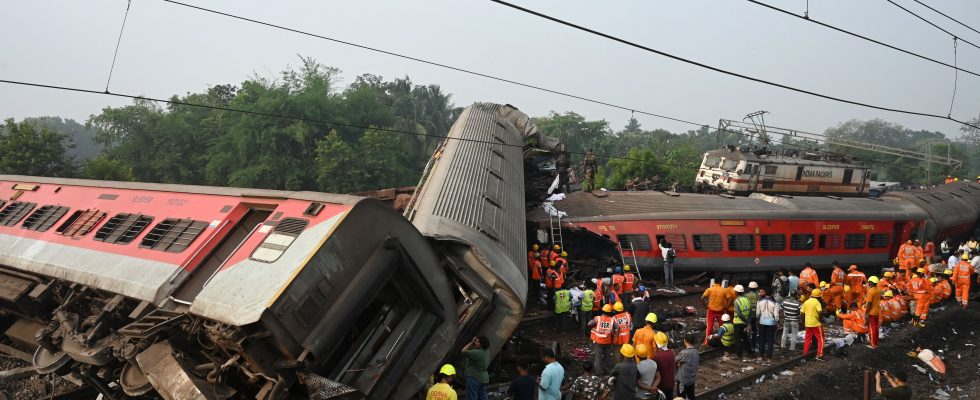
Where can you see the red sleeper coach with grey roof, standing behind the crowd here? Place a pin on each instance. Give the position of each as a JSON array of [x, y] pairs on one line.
[[768, 232]]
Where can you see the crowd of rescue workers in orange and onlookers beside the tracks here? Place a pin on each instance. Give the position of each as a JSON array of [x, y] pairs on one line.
[[633, 360]]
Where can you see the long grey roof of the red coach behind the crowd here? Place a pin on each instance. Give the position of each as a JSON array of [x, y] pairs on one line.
[[581, 206]]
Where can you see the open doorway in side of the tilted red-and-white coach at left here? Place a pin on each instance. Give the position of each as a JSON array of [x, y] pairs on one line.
[[239, 233]]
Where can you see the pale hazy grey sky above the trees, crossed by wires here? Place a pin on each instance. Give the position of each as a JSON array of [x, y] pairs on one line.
[[169, 49]]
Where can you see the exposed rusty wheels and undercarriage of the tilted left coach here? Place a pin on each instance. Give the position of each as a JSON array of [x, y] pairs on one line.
[[106, 339]]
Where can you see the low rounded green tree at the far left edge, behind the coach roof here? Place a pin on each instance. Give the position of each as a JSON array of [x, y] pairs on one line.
[[29, 149]]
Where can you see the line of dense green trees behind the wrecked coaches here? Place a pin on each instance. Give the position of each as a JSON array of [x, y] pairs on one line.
[[347, 139]]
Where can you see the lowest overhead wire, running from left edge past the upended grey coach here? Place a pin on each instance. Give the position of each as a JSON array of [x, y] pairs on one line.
[[298, 118]]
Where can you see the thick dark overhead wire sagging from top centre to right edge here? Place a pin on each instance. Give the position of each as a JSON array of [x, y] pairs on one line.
[[727, 72]]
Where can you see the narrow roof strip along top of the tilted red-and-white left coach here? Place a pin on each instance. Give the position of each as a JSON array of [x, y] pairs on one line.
[[194, 189]]
